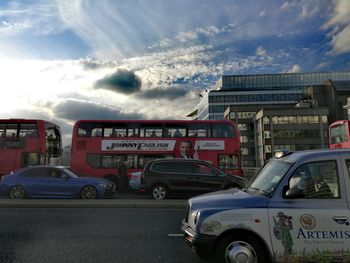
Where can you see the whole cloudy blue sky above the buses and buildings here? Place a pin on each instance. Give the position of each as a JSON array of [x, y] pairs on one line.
[[66, 60]]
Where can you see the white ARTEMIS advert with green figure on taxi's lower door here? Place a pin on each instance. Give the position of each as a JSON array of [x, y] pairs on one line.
[[304, 240]]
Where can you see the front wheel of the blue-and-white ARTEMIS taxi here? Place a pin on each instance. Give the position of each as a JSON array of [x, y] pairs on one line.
[[240, 248]]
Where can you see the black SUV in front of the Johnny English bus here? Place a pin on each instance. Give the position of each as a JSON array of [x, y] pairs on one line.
[[164, 177]]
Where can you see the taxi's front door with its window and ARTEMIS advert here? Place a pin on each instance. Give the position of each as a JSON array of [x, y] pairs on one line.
[[314, 225]]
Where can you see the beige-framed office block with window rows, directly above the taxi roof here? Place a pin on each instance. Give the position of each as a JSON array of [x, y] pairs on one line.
[[290, 129]]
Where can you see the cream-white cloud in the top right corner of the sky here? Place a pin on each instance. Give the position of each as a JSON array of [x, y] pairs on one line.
[[340, 27]]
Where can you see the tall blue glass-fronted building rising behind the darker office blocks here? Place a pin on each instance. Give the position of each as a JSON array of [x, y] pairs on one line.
[[262, 89]]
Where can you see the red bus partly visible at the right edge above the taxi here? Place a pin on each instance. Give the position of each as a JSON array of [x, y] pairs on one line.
[[339, 135]]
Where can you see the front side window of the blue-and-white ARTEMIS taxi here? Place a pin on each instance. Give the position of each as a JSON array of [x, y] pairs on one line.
[[317, 180]]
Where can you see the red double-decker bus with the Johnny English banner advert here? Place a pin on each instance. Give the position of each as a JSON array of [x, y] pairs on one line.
[[99, 145]]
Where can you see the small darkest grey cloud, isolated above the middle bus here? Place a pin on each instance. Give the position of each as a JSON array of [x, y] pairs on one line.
[[122, 81]]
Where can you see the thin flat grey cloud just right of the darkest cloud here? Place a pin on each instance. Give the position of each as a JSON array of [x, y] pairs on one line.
[[170, 93]]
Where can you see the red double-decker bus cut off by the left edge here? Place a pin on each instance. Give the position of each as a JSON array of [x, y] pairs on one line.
[[25, 142]]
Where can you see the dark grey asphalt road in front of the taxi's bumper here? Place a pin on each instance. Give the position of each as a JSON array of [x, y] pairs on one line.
[[92, 235]]
